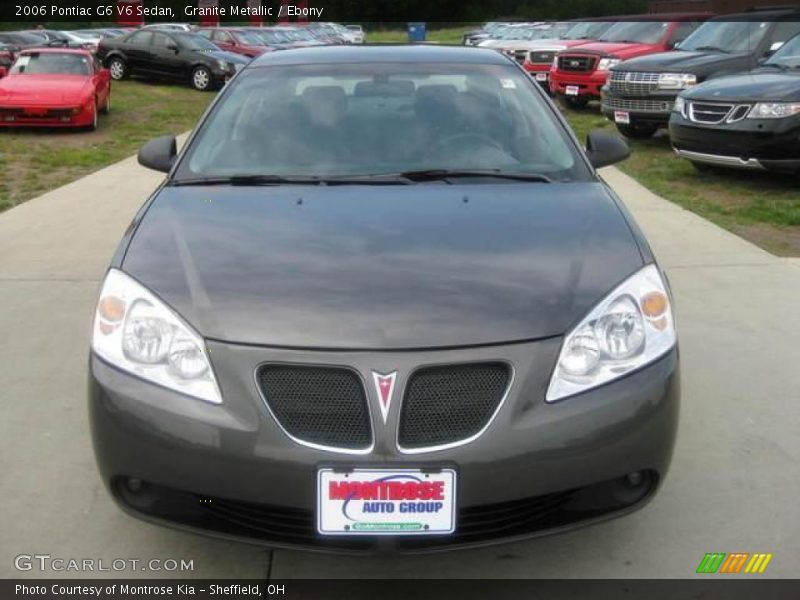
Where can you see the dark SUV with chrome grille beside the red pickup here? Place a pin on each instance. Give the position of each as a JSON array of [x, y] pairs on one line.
[[641, 92]]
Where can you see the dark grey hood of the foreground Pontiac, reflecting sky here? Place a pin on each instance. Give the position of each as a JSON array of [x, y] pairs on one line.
[[368, 267]]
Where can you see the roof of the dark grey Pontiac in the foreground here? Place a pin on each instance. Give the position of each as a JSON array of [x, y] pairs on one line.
[[381, 53]]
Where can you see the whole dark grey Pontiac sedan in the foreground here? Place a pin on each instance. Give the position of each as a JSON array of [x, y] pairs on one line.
[[383, 300]]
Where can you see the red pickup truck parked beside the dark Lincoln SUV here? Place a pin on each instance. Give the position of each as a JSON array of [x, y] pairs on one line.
[[578, 74]]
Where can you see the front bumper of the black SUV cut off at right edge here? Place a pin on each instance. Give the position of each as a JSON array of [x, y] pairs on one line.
[[761, 144]]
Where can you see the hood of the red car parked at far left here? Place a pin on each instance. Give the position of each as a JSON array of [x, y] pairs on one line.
[[44, 89]]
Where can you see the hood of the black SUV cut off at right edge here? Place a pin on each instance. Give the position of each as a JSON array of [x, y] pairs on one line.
[[766, 85]]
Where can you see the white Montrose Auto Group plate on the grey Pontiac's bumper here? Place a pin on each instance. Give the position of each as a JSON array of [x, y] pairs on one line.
[[386, 502]]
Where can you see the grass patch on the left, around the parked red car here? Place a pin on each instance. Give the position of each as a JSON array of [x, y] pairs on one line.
[[35, 161]]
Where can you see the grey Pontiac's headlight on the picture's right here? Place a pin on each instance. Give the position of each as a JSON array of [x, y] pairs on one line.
[[630, 328]]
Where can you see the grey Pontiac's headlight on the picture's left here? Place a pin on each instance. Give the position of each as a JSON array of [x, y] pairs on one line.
[[136, 332]]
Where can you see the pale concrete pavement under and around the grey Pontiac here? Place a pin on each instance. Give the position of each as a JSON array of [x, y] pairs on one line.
[[733, 486]]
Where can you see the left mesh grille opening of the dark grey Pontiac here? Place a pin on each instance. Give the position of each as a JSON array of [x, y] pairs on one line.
[[324, 406]]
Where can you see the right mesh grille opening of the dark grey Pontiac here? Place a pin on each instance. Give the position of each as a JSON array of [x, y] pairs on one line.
[[449, 404]]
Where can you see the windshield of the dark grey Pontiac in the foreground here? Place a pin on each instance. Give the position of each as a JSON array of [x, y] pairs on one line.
[[381, 119]]
